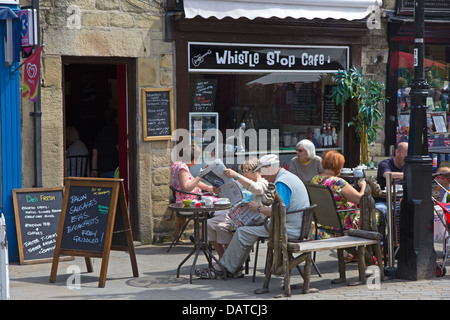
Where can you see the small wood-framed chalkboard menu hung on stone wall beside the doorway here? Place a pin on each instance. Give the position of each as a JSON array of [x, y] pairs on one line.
[[157, 113]]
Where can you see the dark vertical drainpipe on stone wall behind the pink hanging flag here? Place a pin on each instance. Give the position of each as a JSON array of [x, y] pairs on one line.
[[37, 113]]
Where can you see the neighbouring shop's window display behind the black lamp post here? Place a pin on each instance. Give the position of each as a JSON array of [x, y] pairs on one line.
[[401, 72]]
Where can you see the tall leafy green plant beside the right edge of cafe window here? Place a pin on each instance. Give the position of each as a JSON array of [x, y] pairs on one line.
[[367, 96]]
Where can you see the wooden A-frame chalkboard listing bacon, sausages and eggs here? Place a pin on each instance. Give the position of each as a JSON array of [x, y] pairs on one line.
[[94, 220]]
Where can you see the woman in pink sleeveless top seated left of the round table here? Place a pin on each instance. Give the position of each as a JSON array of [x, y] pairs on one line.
[[182, 179]]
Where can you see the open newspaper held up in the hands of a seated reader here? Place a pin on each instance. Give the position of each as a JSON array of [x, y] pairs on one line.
[[229, 188]]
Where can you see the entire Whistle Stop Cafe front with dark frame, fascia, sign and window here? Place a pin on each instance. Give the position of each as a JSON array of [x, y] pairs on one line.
[[250, 87]]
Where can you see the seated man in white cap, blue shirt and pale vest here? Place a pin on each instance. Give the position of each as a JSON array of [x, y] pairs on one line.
[[293, 194]]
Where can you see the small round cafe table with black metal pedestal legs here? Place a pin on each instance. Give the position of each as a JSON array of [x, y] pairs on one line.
[[200, 217]]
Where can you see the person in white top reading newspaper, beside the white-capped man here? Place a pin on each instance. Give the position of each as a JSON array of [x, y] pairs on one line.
[[219, 227]]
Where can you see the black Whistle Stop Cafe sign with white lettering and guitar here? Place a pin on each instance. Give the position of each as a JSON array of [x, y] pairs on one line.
[[209, 57]]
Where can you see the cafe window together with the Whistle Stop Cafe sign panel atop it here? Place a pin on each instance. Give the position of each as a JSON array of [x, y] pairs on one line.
[[263, 98]]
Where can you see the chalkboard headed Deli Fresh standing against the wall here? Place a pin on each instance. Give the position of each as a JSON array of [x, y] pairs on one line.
[[37, 212]]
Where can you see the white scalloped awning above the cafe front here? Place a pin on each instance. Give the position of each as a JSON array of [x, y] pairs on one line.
[[251, 9]]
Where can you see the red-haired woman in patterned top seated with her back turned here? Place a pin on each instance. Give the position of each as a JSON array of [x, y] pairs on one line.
[[345, 196]]
